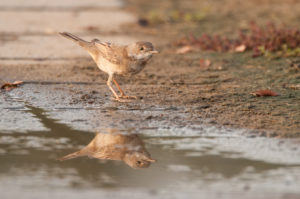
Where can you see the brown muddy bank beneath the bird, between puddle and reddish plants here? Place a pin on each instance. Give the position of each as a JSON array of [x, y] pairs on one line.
[[217, 97]]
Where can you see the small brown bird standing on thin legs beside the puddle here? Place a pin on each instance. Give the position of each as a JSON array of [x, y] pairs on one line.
[[116, 59]]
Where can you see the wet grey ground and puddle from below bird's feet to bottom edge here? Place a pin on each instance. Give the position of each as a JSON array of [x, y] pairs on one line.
[[192, 160]]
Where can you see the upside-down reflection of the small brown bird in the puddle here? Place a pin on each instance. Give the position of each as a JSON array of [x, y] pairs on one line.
[[116, 145]]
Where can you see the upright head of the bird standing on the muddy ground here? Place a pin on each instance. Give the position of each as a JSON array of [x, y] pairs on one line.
[[141, 50]]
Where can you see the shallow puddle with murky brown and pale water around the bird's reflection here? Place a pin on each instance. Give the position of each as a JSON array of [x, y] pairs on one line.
[[193, 161]]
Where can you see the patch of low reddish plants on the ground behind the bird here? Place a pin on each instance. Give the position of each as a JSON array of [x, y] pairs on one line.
[[256, 39]]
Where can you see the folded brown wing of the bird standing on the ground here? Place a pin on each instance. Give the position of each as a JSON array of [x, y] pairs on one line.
[[109, 51]]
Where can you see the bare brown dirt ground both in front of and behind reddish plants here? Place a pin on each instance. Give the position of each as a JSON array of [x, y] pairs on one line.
[[218, 95]]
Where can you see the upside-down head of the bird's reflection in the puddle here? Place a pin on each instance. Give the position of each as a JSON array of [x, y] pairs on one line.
[[138, 160]]
